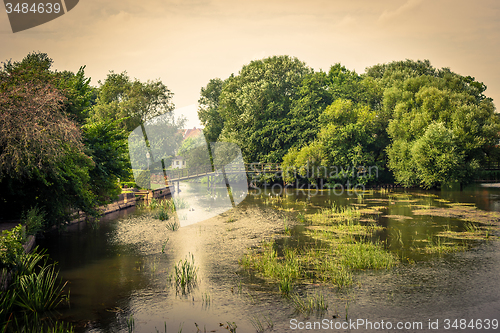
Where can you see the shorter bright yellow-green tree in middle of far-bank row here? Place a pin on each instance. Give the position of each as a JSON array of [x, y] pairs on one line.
[[346, 146]]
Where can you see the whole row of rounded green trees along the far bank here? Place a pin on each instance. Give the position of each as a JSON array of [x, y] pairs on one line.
[[404, 121]]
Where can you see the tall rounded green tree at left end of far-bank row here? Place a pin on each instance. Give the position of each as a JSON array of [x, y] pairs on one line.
[[255, 106]]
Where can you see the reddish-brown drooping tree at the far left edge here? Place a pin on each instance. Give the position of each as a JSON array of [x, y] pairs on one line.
[[42, 158]]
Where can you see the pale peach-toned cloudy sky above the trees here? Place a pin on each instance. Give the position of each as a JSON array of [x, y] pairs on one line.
[[185, 43]]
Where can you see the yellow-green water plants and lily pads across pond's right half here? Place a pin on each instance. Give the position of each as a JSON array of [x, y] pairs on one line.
[[344, 240]]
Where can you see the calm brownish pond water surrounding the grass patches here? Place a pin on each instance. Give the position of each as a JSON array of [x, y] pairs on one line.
[[122, 268]]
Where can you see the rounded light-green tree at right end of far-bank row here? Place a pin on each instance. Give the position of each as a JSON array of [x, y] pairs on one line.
[[429, 107]]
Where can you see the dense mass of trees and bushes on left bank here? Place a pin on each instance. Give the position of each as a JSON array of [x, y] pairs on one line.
[[63, 143]]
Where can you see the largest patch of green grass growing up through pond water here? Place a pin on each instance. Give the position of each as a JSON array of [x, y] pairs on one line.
[[346, 246]]
